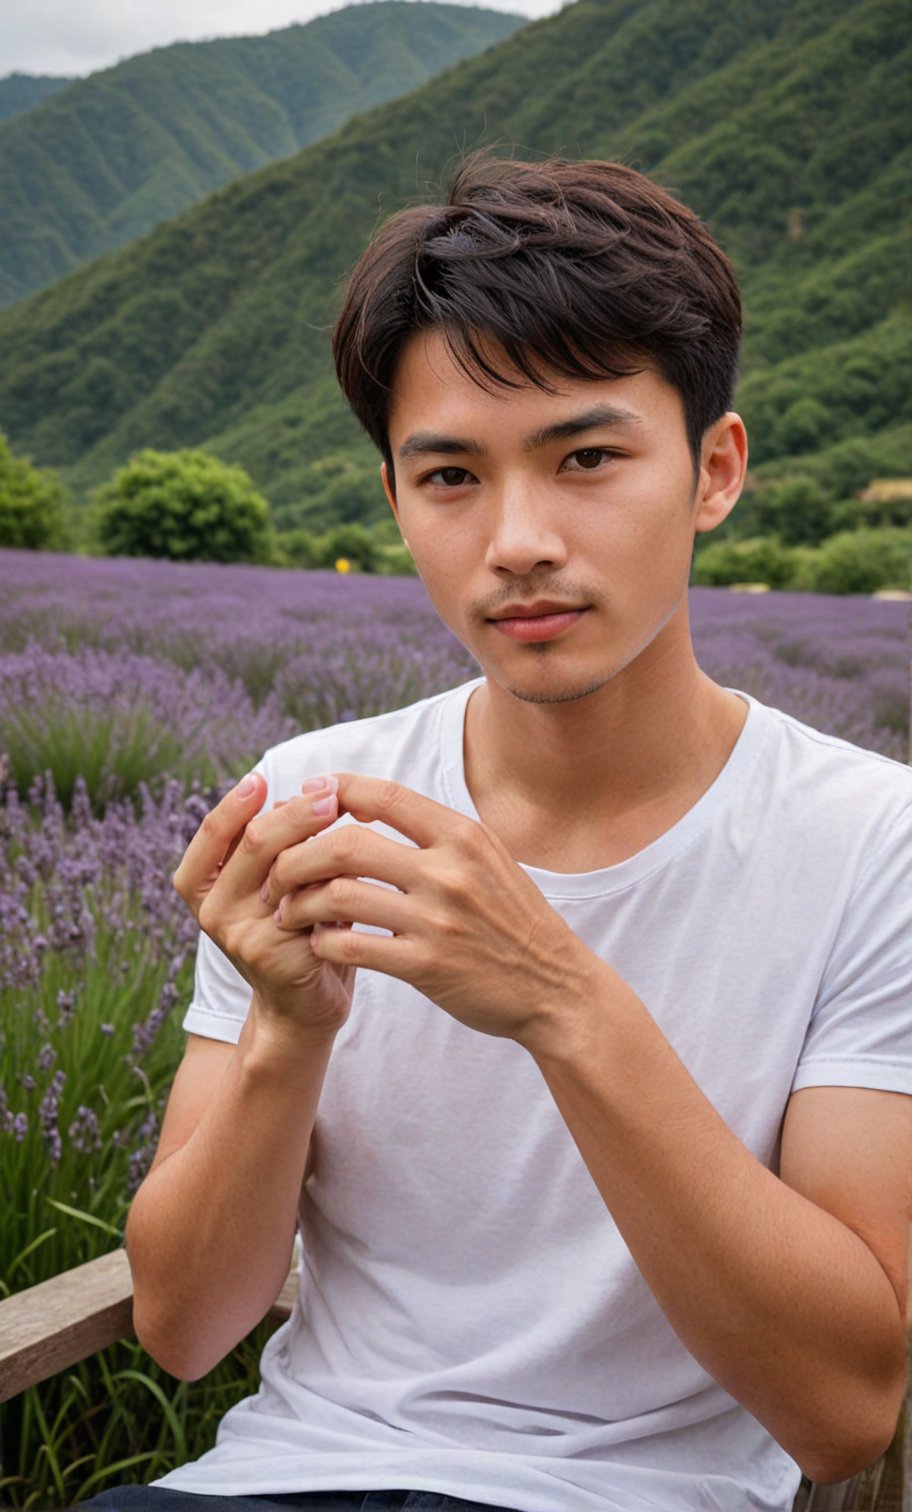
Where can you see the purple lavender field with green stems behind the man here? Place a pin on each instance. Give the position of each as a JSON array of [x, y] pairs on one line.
[[131, 695]]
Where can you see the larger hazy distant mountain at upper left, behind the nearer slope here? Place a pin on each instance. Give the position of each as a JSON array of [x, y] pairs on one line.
[[137, 144]]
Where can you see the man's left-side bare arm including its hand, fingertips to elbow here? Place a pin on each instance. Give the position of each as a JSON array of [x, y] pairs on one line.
[[211, 1230]]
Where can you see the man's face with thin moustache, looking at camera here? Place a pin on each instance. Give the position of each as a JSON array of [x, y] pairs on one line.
[[583, 503]]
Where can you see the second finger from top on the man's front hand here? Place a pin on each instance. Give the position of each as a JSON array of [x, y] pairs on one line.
[[347, 852]]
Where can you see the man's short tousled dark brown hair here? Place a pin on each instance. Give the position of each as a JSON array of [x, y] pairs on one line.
[[582, 270]]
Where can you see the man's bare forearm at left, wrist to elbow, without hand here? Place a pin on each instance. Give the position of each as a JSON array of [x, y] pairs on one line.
[[211, 1230]]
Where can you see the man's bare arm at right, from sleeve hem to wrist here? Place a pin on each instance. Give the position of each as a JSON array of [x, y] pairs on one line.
[[792, 1292]]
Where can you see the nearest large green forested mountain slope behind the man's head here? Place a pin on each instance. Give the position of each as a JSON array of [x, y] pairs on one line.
[[781, 122]]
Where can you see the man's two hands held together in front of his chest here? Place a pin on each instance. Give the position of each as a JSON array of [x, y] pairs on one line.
[[279, 893]]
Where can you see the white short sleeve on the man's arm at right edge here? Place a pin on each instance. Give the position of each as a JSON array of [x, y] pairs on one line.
[[861, 1029]]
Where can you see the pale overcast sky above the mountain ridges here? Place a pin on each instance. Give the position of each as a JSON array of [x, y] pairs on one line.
[[78, 37]]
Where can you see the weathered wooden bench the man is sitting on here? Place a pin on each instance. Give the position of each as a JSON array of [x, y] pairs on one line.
[[60, 1322]]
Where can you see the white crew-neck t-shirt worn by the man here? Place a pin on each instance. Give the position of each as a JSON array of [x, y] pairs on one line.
[[470, 1319]]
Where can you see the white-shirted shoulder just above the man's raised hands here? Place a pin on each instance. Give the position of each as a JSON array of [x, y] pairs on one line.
[[396, 745]]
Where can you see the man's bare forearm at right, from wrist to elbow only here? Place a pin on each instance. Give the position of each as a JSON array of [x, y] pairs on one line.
[[783, 1304]]
